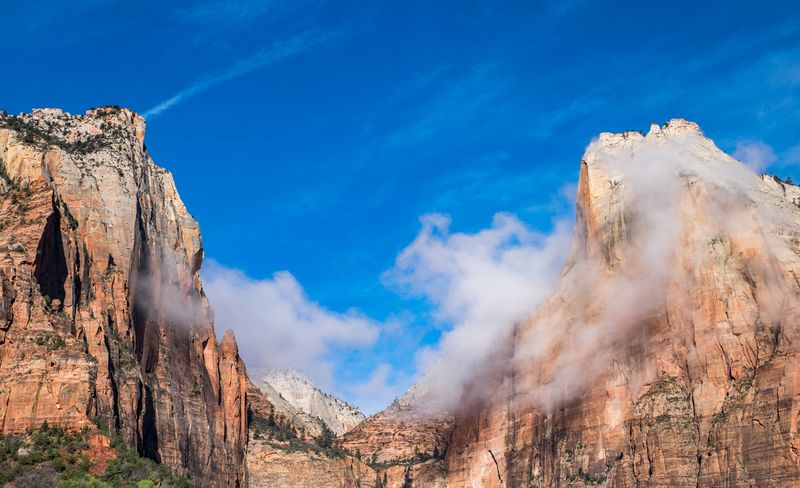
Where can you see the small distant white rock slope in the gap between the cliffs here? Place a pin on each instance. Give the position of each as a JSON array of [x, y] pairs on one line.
[[296, 389]]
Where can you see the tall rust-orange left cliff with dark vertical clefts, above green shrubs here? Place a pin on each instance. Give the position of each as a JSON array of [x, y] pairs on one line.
[[102, 313]]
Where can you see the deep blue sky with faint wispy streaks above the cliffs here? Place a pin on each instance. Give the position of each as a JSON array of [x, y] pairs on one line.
[[311, 137]]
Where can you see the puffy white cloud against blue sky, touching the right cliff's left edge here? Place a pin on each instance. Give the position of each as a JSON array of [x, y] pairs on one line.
[[480, 286]]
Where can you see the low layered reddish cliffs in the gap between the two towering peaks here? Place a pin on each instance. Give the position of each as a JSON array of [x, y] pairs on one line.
[[391, 449]]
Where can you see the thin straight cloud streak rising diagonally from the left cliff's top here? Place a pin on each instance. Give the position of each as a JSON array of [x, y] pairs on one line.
[[271, 55]]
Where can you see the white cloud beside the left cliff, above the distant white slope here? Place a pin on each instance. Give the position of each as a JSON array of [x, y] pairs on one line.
[[277, 325]]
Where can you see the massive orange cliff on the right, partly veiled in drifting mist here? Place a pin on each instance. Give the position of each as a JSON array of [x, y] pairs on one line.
[[667, 354]]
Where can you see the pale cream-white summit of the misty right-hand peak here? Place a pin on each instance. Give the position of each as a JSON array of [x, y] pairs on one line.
[[628, 178]]
